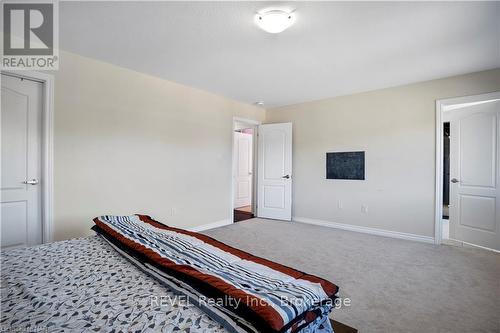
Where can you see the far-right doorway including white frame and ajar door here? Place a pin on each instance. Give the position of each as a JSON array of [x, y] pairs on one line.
[[468, 172]]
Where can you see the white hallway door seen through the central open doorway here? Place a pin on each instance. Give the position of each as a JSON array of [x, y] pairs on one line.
[[243, 149]]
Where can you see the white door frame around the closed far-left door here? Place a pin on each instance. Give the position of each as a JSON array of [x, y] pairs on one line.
[[47, 164]]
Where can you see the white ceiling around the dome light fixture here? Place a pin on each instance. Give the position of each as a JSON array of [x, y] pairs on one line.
[[334, 48]]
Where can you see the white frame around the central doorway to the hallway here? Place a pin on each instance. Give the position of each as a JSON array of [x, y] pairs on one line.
[[255, 126]]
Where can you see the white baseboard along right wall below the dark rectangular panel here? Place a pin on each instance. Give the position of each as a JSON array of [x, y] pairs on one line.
[[365, 230]]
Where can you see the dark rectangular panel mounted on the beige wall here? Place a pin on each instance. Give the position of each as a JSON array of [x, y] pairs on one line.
[[345, 165]]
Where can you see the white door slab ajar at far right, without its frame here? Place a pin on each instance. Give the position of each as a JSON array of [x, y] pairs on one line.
[[474, 174]]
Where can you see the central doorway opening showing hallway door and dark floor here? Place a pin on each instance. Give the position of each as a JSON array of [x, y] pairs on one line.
[[244, 148]]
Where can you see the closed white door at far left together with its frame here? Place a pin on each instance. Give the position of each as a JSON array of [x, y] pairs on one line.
[[26, 158]]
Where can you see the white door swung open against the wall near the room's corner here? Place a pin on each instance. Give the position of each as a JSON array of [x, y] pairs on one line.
[[275, 171]]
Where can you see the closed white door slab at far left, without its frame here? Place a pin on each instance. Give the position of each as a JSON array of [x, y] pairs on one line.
[[21, 162]]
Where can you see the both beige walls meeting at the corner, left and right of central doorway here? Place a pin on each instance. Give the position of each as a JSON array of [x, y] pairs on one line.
[[126, 142]]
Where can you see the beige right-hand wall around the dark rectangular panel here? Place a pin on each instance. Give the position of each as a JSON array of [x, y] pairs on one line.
[[396, 128]]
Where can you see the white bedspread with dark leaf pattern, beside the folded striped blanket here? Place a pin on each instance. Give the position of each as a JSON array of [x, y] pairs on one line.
[[84, 285]]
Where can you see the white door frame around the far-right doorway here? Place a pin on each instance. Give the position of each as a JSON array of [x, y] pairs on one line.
[[442, 107]]
